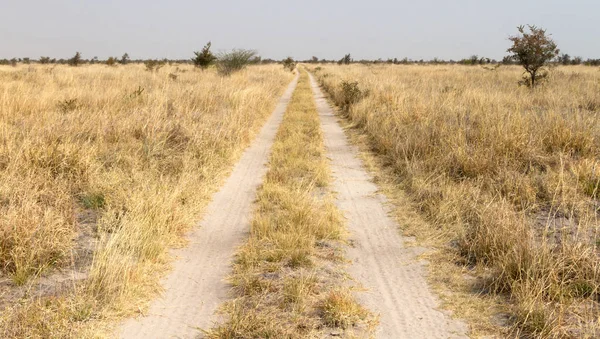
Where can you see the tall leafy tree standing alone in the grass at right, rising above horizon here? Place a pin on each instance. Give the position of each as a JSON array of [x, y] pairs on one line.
[[533, 51]]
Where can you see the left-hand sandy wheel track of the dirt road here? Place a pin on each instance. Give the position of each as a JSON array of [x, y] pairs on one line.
[[195, 287]]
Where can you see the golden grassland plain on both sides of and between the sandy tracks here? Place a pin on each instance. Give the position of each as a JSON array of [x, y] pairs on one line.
[[103, 169]]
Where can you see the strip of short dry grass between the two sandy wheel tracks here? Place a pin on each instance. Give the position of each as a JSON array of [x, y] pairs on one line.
[[286, 277]]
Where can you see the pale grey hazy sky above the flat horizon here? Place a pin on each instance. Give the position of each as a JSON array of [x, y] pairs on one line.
[[327, 29]]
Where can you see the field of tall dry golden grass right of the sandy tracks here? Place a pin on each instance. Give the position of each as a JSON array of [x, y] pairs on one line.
[[507, 178]]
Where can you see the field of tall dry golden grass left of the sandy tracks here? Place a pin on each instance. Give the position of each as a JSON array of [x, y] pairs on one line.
[[102, 169]]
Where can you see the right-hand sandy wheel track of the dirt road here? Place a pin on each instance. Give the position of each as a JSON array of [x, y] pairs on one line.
[[393, 276]]
